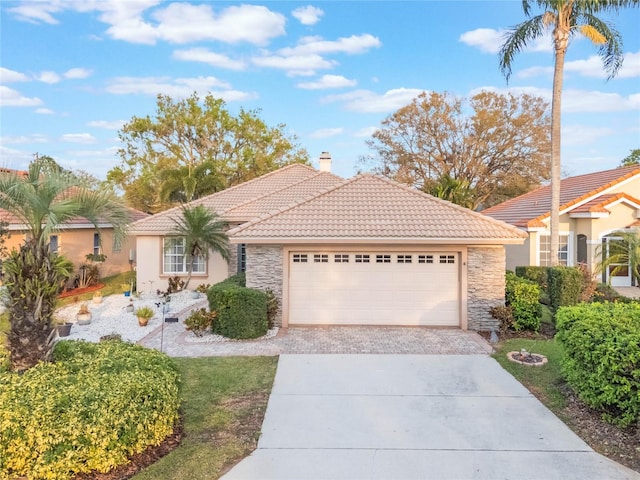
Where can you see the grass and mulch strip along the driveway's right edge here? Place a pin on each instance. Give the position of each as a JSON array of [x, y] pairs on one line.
[[547, 384]]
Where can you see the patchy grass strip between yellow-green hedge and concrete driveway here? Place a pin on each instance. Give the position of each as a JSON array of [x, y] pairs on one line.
[[224, 399]]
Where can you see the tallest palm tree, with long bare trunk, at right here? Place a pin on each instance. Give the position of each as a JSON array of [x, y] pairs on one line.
[[567, 18]]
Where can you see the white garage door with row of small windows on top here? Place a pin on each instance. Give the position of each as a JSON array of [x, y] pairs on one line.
[[373, 288]]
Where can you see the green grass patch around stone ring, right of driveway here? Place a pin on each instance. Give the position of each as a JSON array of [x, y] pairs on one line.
[[544, 382]]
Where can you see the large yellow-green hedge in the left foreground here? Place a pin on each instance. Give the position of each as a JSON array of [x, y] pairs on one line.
[[91, 409]]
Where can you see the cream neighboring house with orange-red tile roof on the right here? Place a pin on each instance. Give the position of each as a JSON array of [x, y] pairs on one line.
[[593, 207]]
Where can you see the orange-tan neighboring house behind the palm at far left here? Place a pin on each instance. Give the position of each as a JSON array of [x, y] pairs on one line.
[[76, 239]]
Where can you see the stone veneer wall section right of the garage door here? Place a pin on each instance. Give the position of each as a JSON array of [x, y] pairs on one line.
[[485, 284]]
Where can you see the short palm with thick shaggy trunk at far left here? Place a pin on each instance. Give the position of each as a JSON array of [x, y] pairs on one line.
[[43, 204]]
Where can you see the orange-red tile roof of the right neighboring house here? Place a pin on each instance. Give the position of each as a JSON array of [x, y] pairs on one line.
[[533, 208]]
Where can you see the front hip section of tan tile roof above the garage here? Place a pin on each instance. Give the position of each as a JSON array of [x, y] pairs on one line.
[[371, 208]]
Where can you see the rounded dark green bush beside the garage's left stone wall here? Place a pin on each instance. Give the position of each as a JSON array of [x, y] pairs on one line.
[[241, 312]]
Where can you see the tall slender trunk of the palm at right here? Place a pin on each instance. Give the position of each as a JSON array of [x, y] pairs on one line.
[[560, 49]]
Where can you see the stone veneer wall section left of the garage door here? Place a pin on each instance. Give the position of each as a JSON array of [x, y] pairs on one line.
[[264, 271]]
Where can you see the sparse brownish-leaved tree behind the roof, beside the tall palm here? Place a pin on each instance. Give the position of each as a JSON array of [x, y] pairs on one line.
[[496, 145]]
